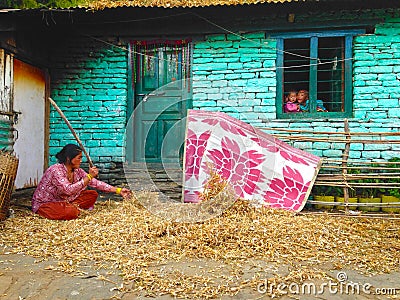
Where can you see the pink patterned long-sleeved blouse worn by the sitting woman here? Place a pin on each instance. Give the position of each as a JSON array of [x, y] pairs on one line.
[[55, 187]]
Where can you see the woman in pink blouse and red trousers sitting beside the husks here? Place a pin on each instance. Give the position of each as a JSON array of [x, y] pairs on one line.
[[61, 192]]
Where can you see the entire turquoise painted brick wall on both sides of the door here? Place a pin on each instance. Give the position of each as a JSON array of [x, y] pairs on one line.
[[232, 74]]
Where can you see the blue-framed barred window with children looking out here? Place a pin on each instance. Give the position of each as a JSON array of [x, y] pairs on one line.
[[319, 64]]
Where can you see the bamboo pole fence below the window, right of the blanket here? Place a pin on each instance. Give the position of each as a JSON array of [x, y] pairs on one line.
[[350, 176]]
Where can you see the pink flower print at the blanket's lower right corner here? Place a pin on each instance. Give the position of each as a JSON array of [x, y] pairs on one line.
[[288, 193]]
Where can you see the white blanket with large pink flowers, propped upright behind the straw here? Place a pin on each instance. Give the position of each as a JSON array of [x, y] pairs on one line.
[[258, 166]]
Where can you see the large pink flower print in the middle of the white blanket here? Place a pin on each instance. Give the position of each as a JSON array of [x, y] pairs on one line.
[[240, 169]]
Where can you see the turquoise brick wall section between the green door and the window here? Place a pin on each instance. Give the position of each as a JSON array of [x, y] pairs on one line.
[[236, 75]]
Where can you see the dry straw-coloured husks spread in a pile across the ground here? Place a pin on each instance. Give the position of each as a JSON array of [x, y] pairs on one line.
[[126, 236]]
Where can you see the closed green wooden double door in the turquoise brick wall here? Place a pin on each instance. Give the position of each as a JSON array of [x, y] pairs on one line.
[[161, 102]]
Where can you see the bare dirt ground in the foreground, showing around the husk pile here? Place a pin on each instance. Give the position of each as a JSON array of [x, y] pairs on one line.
[[23, 277]]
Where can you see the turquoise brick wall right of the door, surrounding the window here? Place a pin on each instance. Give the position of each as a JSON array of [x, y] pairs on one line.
[[237, 76]]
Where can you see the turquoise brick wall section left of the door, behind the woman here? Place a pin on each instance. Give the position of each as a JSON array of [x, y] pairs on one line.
[[90, 86]]
